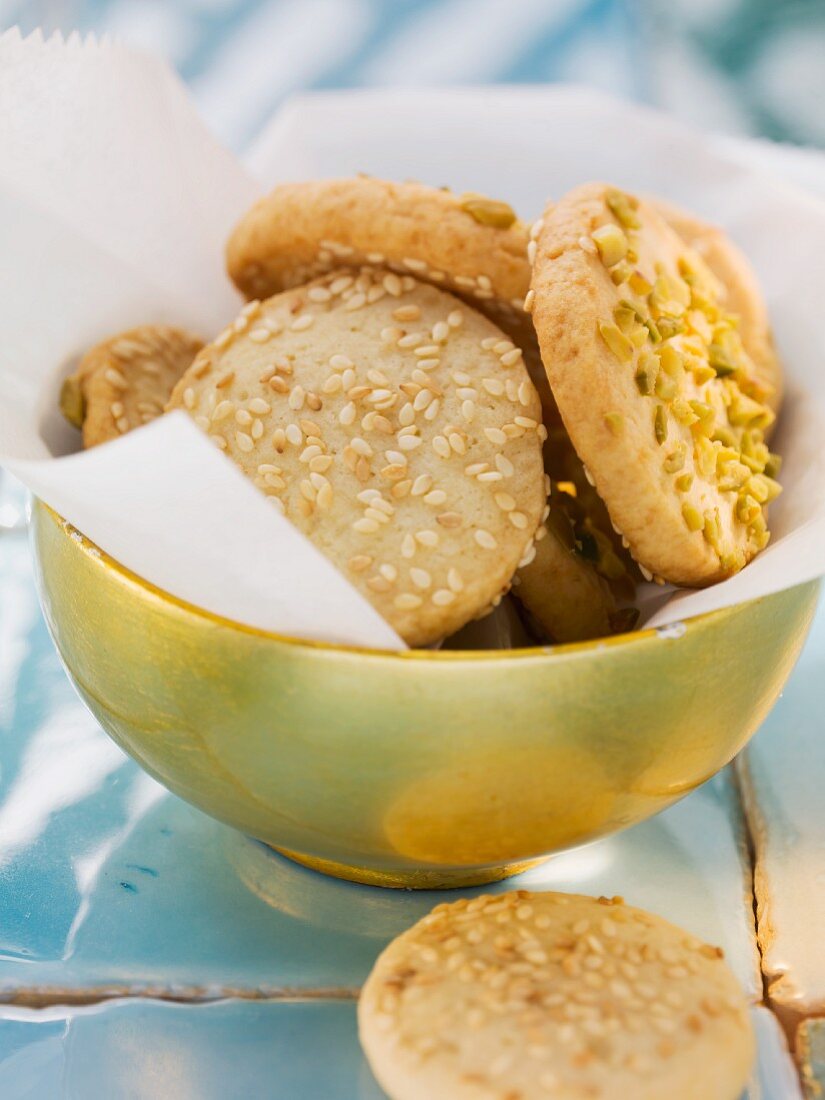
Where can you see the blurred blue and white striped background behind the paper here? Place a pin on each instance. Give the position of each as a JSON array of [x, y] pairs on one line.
[[745, 67]]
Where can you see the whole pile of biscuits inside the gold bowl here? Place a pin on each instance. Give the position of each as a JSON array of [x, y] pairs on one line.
[[454, 405]]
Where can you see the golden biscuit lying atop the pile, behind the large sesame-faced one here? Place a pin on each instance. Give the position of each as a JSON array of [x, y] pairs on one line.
[[469, 245]]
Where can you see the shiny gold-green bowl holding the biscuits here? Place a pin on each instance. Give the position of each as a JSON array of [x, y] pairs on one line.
[[416, 769]]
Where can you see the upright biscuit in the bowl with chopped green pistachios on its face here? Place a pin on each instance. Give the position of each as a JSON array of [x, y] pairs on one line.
[[656, 390]]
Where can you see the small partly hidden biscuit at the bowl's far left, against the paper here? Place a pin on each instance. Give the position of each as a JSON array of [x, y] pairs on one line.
[[127, 381]]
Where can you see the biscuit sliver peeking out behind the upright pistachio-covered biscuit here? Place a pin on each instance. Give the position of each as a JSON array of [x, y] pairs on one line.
[[740, 291]]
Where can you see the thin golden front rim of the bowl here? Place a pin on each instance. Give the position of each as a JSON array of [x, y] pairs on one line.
[[101, 558]]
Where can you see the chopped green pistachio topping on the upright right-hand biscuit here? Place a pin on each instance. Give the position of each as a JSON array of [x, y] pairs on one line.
[[686, 350]]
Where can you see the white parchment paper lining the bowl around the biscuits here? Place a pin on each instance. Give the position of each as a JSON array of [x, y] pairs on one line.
[[115, 207]]
